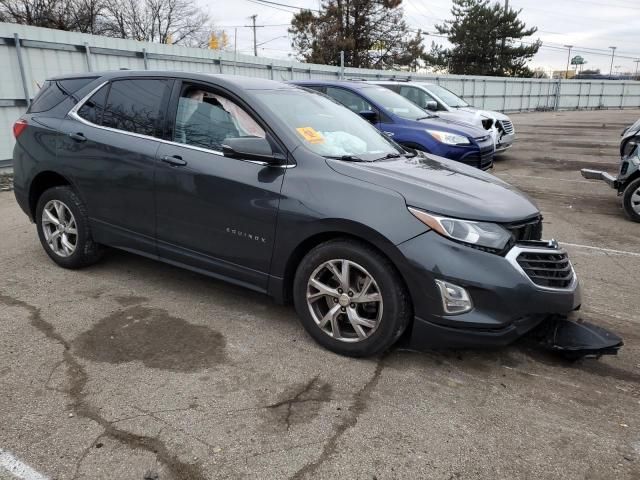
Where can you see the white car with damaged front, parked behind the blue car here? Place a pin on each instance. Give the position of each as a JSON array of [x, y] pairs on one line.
[[449, 106]]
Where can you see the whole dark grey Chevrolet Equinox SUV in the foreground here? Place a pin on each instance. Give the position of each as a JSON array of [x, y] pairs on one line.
[[284, 191]]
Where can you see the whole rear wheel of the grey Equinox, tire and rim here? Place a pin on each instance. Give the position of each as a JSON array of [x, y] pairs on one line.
[[63, 229]]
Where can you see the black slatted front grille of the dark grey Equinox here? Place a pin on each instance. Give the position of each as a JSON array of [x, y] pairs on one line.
[[552, 270]]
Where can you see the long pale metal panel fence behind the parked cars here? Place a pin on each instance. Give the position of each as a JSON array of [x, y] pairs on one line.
[[30, 55]]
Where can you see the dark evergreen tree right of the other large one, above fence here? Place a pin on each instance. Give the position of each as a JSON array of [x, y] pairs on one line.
[[485, 41]]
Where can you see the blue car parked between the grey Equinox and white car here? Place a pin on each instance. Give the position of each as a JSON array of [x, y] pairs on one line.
[[408, 124]]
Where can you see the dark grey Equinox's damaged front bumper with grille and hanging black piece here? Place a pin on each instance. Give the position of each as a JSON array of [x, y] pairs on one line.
[[532, 290]]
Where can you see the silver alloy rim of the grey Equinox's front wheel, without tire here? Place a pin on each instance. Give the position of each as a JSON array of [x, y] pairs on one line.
[[344, 300]]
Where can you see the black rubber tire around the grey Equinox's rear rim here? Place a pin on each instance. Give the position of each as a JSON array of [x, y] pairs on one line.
[[86, 252]]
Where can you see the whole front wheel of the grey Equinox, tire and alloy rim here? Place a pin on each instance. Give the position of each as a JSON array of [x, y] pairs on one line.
[[350, 298]]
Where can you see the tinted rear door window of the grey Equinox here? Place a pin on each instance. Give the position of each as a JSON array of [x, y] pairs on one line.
[[136, 105]]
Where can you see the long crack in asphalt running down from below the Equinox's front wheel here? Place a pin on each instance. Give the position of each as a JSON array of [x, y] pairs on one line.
[[359, 405]]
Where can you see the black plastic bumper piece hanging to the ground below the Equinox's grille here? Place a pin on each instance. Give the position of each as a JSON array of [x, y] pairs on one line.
[[576, 339]]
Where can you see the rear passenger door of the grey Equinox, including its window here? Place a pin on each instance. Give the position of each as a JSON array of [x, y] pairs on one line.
[[110, 144]]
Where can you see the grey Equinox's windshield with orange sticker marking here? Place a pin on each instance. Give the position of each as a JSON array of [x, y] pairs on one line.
[[326, 127]]
